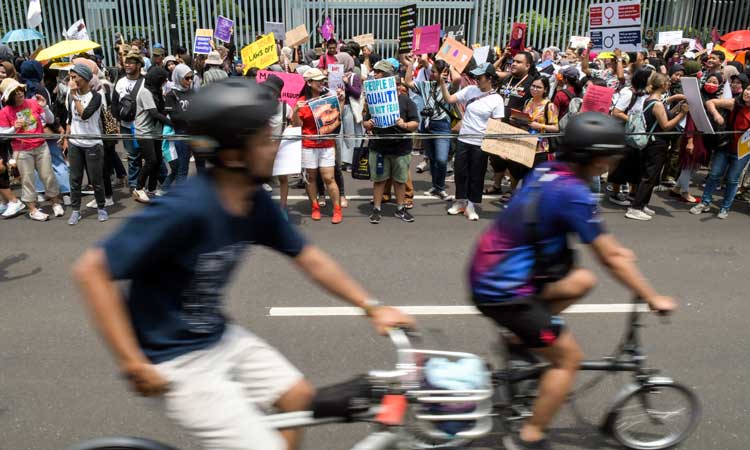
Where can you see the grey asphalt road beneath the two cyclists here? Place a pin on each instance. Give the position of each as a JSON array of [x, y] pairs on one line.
[[58, 384]]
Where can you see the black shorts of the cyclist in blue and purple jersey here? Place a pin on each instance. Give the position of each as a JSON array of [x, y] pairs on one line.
[[529, 318]]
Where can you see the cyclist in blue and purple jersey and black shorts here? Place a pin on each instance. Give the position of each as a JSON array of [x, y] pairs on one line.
[[522, 272]]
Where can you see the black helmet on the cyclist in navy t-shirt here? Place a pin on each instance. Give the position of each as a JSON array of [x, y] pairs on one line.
[[229, 110]]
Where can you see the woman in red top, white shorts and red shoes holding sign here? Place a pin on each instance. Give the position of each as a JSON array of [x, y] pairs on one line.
[[319, 155]]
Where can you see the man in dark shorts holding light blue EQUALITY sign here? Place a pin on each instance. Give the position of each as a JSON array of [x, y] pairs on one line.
[[389, 113]]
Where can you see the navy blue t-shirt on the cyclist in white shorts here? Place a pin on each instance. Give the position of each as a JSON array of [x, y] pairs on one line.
[[179, 254]]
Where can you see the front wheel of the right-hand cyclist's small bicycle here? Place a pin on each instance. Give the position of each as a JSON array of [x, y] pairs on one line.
[[657, 415]]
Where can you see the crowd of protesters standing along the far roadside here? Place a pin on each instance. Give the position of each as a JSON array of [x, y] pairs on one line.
[[146, 93]]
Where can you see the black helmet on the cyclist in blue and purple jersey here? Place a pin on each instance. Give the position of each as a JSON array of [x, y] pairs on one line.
[[592, 134]]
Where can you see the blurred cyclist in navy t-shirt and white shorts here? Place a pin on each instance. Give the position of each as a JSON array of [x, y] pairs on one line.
[[171, 338]]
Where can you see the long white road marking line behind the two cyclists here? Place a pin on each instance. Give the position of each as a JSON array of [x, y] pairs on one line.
[[459, 310]]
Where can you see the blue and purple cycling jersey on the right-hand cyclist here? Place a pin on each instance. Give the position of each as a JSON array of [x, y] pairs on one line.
[[503, 265]]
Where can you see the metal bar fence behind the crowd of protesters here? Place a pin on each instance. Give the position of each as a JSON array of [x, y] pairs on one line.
[[551, 22]]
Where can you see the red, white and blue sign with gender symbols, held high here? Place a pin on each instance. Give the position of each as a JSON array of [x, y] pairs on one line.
[[616, 25]]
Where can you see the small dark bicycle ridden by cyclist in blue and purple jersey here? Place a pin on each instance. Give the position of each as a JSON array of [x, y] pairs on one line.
[[515, 387]]
